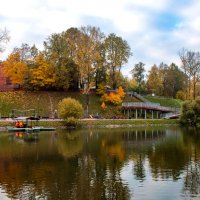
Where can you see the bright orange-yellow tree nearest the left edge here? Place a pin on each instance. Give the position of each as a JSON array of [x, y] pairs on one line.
[[14, 68]]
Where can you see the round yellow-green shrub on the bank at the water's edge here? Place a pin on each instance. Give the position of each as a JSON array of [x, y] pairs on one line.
[[70, 110]]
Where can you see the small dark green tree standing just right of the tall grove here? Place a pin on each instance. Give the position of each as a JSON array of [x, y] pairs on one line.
[[138, 74]]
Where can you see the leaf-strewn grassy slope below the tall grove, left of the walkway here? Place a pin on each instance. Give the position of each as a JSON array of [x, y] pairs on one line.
[[45, 103]]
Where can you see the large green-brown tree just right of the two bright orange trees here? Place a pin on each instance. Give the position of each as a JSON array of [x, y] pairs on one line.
[[58, 54]]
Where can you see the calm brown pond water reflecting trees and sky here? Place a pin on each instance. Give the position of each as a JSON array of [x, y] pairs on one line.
[[160, 163]]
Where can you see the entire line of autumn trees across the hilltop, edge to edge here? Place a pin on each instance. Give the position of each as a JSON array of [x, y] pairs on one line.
[[80, 58]]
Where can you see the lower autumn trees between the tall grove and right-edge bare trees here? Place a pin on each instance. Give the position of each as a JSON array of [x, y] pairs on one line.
[[161, 80]]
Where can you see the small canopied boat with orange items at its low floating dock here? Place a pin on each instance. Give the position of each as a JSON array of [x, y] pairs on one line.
[[27, 124]]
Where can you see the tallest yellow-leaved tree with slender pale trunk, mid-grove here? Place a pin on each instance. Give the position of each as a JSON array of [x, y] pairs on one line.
[[88, 56]]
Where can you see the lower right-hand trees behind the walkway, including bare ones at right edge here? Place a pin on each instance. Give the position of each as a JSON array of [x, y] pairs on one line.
[[170, 80]]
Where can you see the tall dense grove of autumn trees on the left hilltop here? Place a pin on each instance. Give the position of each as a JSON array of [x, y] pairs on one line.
[[71, 60]]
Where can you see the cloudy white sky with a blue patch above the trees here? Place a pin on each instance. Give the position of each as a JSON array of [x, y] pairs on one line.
[[156, 30]]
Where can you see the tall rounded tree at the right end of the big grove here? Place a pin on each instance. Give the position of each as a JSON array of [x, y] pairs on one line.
[[117, 54]]
